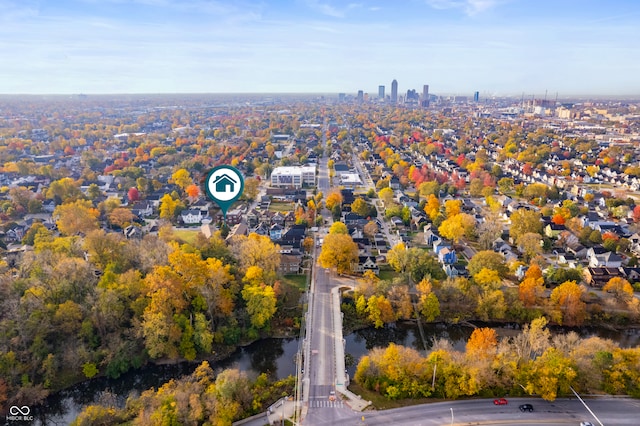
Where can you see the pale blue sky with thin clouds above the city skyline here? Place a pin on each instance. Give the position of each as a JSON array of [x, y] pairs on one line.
[[496, 47]]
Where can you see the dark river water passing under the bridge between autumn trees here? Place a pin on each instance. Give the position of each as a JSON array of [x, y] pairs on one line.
[[276, 358]]
